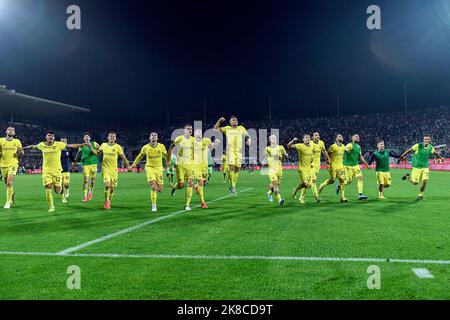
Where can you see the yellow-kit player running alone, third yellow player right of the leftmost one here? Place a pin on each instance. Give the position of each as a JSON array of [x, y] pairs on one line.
[[154, 153]]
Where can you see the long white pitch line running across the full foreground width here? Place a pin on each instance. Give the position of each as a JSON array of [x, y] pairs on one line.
[[217, 257]]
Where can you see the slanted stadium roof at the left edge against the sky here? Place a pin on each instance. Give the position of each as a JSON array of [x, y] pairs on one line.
[[22, 104]]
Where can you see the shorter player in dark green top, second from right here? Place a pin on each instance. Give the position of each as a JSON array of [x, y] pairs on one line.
[[382, 169]]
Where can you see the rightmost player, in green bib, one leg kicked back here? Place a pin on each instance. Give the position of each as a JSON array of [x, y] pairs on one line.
[[420, 163]]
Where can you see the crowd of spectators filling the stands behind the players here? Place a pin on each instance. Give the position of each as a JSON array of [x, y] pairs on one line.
[[399, 130]]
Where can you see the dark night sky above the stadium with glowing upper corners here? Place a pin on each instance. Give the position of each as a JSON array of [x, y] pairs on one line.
[[130, 55]]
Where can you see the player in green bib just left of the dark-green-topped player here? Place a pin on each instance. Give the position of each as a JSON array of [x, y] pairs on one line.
[[352, 156]]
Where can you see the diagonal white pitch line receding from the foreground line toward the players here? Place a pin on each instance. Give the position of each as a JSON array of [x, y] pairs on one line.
[[136, 227]]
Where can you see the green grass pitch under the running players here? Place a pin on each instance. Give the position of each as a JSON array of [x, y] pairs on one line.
[[205, 254]]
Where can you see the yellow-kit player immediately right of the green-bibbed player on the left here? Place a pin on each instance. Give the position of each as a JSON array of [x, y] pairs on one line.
[[111, 151]]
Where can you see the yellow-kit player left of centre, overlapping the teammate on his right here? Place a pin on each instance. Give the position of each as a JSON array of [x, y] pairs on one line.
[[185, 164]]
